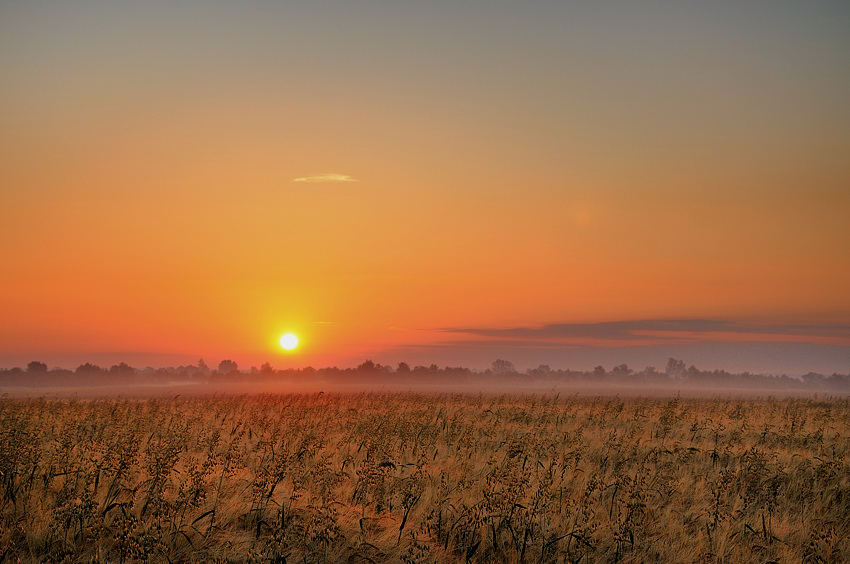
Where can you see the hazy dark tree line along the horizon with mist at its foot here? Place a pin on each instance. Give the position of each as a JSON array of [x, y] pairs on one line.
[[37, 374]]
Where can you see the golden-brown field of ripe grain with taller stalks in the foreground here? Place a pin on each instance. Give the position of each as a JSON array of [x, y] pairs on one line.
[[404, 477]]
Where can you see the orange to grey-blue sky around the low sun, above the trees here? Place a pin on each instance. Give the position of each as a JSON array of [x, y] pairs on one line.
[[573, 184]]
